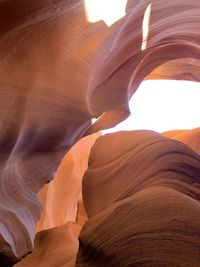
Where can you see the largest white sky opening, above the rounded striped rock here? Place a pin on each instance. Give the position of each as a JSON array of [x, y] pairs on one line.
[[161, 105]]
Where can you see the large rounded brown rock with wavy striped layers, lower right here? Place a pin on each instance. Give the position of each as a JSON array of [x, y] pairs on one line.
[[143, 203]]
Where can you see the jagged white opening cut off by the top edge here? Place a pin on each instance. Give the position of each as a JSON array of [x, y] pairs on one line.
[[109, 11]]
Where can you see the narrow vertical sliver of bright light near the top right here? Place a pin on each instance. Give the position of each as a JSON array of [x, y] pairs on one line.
[[145, 27]]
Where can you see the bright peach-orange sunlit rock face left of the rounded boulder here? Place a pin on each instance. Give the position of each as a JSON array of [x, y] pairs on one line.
[[61, 197]]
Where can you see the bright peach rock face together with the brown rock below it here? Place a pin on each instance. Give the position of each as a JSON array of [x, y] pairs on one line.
[[63, 214]]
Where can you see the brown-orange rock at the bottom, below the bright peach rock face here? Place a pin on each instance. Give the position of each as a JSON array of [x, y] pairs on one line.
[[55, 247]]
